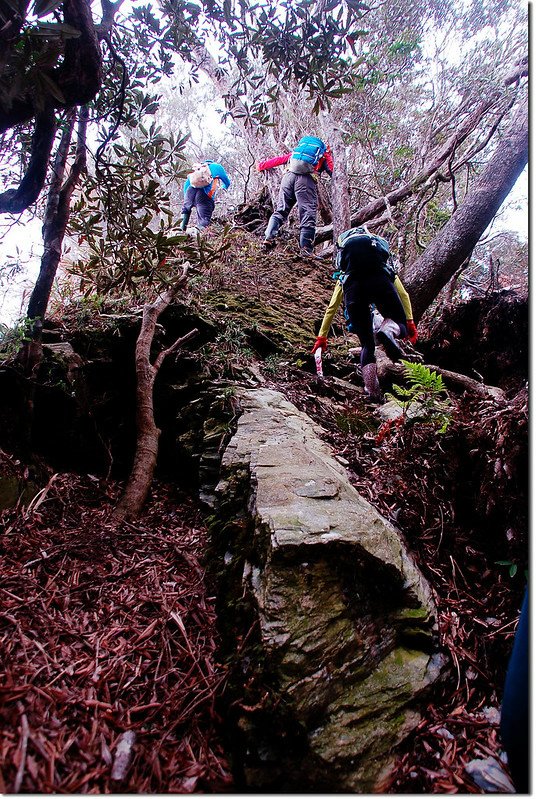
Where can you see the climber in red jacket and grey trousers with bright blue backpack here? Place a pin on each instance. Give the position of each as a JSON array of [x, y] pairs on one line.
[[305, 163]]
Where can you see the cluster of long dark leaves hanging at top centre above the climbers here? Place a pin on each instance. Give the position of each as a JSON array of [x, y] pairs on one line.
[[273, 45]]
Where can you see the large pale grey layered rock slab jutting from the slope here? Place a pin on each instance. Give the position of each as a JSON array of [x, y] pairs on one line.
[[345, 620]]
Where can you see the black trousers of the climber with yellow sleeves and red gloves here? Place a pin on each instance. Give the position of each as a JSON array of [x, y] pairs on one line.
[[362, 287]]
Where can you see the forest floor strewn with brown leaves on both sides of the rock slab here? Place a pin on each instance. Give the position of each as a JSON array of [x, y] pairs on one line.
[[107, 628]]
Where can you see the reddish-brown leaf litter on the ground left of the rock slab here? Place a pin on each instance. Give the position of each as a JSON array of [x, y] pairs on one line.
[[108, 675]]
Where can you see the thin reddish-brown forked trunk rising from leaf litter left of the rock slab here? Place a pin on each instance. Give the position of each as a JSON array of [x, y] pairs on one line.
[[148, 434]]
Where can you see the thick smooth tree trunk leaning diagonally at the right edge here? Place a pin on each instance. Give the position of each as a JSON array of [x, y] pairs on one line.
[[457, 238]]
